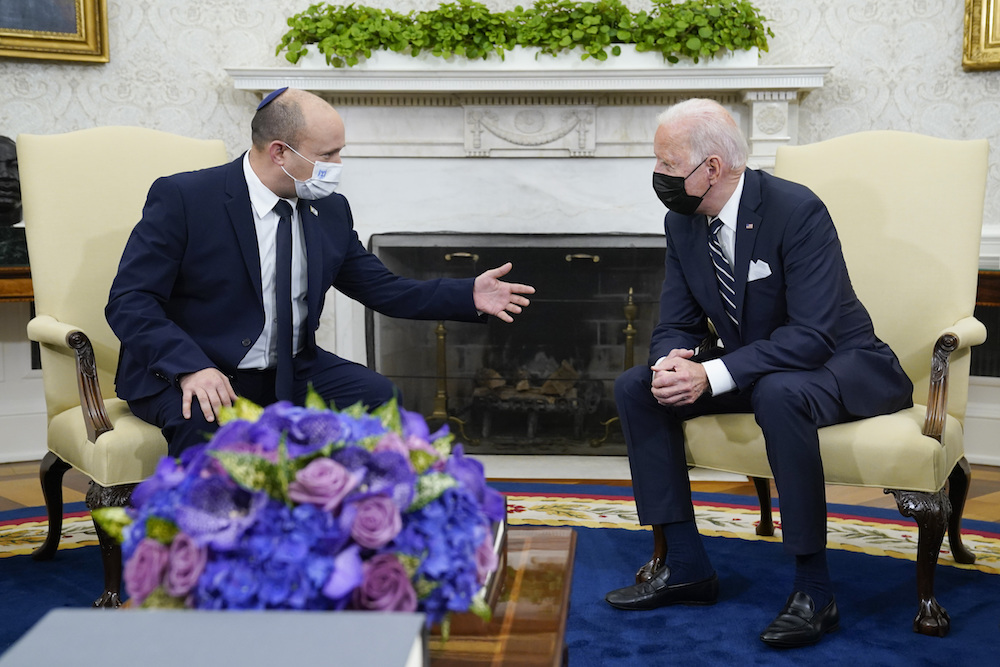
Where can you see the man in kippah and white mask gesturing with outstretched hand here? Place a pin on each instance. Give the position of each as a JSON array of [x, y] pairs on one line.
[[194, 303]]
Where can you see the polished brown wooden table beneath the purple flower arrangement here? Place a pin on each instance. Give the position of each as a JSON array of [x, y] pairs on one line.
[[529, 620]]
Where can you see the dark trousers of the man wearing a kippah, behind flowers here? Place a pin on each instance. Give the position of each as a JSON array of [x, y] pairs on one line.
[[340, 382]]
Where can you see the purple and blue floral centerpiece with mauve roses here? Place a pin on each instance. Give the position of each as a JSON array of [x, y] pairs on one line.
[[310, 508]]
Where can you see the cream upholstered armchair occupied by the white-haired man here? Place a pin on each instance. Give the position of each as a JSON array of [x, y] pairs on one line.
[[908, 209]]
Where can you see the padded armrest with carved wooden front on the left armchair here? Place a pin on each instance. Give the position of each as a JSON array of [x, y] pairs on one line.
[[49, 331]]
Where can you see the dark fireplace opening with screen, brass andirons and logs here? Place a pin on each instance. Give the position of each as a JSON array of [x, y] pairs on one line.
[[543, 383]]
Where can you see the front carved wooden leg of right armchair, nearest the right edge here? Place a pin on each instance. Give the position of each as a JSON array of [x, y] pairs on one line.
[[931, 512]]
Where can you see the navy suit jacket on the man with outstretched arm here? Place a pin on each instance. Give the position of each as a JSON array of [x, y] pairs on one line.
[[188, 291]]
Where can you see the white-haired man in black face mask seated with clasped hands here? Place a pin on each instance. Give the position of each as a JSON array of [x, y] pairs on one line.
[[759, 258]]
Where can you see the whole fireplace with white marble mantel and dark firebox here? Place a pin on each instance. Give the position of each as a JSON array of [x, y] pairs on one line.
[[522, 150]]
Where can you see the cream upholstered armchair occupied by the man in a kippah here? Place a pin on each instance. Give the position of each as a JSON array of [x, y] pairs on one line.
[[82, 193]]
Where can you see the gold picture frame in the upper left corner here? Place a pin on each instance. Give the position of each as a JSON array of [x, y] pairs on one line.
[[65, 30]]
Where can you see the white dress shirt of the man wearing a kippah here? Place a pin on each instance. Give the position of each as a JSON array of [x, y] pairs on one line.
[[263, 353]]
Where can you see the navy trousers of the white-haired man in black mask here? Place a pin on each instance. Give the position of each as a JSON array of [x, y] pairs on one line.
[[789, 408]]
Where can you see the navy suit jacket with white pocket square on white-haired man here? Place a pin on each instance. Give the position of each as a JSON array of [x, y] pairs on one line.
[[798, 311]]
